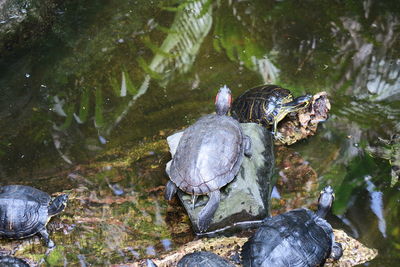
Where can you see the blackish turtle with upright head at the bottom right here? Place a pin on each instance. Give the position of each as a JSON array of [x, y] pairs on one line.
[[296, 238]]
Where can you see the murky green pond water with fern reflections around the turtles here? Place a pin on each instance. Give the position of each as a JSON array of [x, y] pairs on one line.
[[86, 106]]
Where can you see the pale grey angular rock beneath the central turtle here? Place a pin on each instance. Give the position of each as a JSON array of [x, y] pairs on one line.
[[244, 201]]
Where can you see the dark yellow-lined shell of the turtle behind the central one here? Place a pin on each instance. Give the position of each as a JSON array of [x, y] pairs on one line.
[[260, 104]]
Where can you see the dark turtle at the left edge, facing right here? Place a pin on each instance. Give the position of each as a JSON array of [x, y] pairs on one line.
[[25, 211]]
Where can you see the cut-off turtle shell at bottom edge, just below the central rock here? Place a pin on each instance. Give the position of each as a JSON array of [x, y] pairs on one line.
[[203, 259]]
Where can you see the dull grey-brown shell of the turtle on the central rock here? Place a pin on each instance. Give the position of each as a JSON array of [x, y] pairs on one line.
[[208, 155]]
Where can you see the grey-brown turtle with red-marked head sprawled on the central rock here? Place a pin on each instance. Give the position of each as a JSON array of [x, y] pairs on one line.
[[208, 157]]
